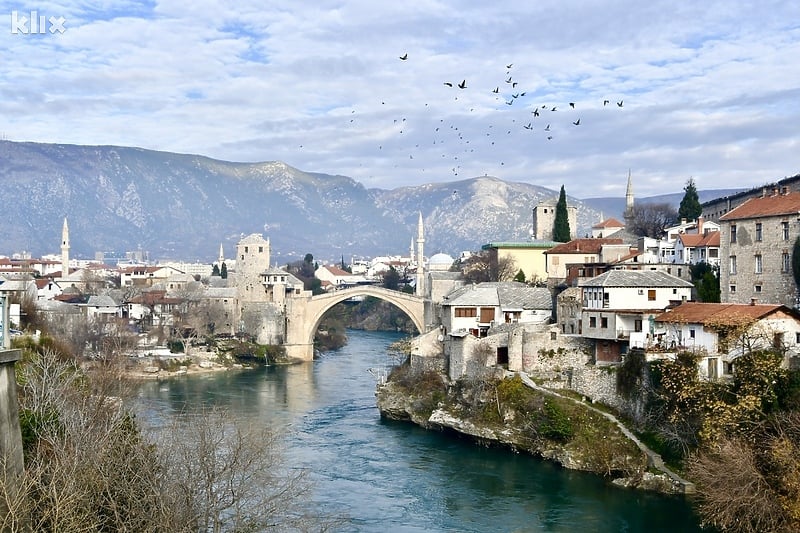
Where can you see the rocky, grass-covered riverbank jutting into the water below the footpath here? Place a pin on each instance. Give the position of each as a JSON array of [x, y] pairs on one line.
[[506, 412]]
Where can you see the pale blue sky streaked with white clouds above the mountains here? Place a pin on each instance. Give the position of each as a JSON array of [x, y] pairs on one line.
[[561, 92]]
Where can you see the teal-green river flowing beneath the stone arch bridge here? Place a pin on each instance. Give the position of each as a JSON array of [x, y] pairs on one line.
[[391, 476]]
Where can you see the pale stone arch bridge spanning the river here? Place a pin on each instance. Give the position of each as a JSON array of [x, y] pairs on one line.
[[305, 314]]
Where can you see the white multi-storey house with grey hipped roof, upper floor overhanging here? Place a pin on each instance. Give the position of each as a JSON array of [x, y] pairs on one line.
[[617, 306]]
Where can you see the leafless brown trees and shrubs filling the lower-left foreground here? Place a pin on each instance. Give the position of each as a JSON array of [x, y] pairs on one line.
[[89, 467]]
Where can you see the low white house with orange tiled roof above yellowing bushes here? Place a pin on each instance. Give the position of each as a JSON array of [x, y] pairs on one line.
[[703, 328]]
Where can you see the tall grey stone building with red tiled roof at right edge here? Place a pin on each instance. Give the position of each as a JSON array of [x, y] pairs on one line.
[[756, 242]]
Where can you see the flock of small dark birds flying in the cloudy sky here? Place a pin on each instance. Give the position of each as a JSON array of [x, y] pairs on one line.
[[501, 113]]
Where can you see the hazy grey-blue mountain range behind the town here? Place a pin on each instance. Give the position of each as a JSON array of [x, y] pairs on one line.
[[182, 206]]
